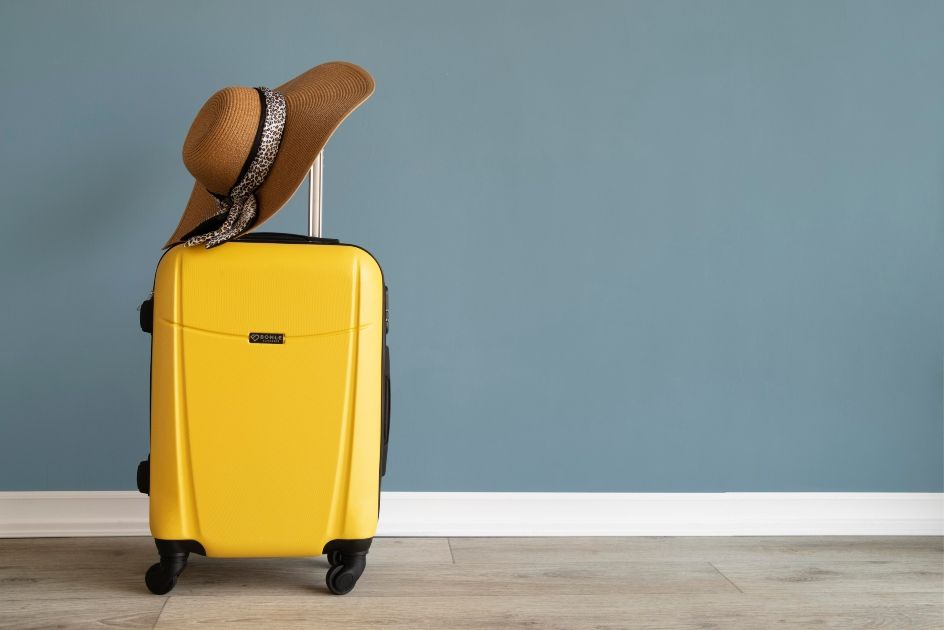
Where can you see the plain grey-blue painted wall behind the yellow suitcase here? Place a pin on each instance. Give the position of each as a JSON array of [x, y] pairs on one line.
[[632, 246]]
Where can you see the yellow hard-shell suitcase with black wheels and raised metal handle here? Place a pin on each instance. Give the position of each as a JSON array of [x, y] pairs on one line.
[[270, 401]]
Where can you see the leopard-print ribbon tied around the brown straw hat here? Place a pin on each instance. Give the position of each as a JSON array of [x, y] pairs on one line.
[[240, 204]]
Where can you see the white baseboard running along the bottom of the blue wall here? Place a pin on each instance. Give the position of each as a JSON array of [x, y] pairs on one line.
[[28, 514]]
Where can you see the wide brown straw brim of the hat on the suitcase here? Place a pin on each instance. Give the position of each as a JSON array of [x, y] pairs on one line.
[[316, 103]]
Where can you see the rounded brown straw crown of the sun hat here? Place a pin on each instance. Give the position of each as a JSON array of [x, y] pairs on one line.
[[221, 137]]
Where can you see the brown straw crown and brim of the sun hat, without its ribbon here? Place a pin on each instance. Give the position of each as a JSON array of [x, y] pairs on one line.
[[225, 136]]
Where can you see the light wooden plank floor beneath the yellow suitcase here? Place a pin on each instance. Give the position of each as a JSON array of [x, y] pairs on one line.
[[493, 583]]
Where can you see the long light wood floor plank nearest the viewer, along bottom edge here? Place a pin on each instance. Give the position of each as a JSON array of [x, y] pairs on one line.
[[567, 612]]
